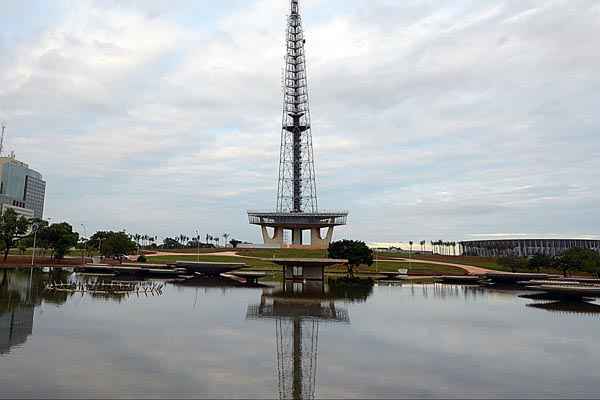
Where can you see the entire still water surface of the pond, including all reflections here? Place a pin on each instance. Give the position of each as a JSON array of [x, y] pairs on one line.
[[214, 340]]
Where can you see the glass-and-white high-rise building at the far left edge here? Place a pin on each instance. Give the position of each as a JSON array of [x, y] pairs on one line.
[[21, 188]]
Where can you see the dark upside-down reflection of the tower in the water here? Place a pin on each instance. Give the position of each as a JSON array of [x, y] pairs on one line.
[[298, 310]]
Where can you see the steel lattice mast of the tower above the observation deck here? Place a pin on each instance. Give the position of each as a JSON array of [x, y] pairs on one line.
[[297, 190]]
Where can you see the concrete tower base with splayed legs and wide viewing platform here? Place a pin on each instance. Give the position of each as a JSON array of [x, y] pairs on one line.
[[297, 223]]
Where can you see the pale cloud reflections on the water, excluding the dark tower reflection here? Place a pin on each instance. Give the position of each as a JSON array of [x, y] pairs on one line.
[[399, 343]]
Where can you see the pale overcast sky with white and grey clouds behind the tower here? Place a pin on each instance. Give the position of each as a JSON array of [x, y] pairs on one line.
[[431, 119]]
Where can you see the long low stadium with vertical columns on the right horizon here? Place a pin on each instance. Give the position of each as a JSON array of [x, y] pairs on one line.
[[524, 247]]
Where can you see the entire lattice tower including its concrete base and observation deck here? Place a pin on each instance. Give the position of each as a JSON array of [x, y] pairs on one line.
[[297, 204]]
